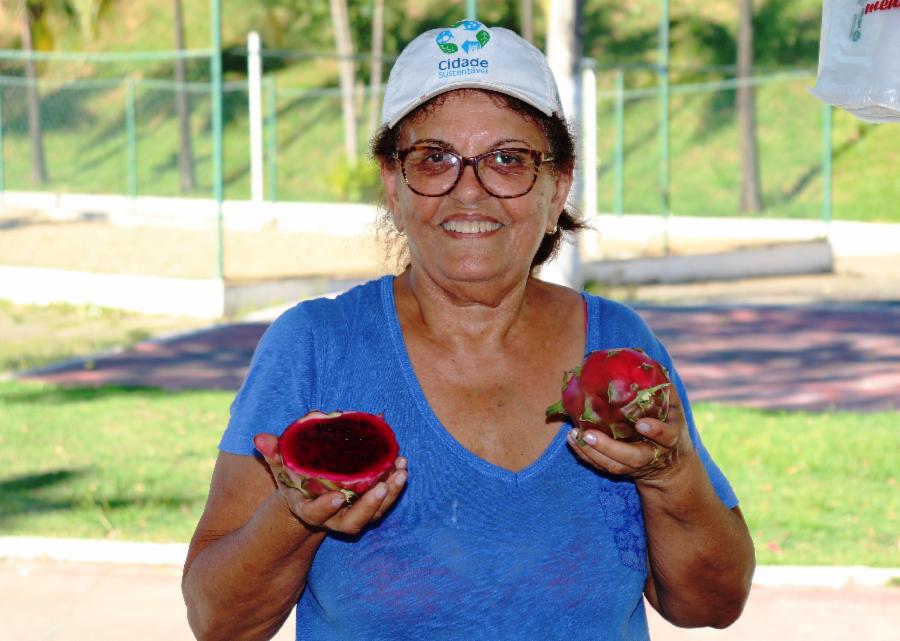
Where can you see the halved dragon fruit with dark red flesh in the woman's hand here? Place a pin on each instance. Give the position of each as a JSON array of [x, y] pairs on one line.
[[347, 452]]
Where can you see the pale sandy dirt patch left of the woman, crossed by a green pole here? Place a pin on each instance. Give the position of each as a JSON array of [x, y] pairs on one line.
[[30, 240]]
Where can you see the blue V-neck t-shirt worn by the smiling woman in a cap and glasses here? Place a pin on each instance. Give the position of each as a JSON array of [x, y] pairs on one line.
[[470, 550]]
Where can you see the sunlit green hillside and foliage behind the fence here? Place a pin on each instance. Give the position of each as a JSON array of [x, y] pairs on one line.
[[84, 125]]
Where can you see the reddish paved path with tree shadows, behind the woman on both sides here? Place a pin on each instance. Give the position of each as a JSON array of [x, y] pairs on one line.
[[801, 356]]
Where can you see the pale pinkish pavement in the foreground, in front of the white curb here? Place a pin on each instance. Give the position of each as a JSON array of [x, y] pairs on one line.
[[55, 601]]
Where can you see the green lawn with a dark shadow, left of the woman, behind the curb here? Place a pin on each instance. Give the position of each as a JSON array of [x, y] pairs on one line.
[[106, 463]]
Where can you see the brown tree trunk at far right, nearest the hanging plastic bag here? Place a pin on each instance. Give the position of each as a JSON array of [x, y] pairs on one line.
[[751, 190]]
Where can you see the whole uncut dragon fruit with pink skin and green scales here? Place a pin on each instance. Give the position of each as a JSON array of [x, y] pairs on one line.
[[611, 390]]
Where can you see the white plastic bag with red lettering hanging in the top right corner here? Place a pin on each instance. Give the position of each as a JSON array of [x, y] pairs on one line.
[[859, 58]]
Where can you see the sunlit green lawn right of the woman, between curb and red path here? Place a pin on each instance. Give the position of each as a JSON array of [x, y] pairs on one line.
[[814, 488]]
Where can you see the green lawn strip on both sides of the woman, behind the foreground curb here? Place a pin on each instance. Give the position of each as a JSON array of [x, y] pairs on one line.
[[135, 464]]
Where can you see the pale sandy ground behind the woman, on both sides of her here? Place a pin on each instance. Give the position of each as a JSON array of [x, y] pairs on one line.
[[34, 240]]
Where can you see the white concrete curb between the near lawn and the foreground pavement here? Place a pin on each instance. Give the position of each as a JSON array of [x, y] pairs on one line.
[[173, 554]]
